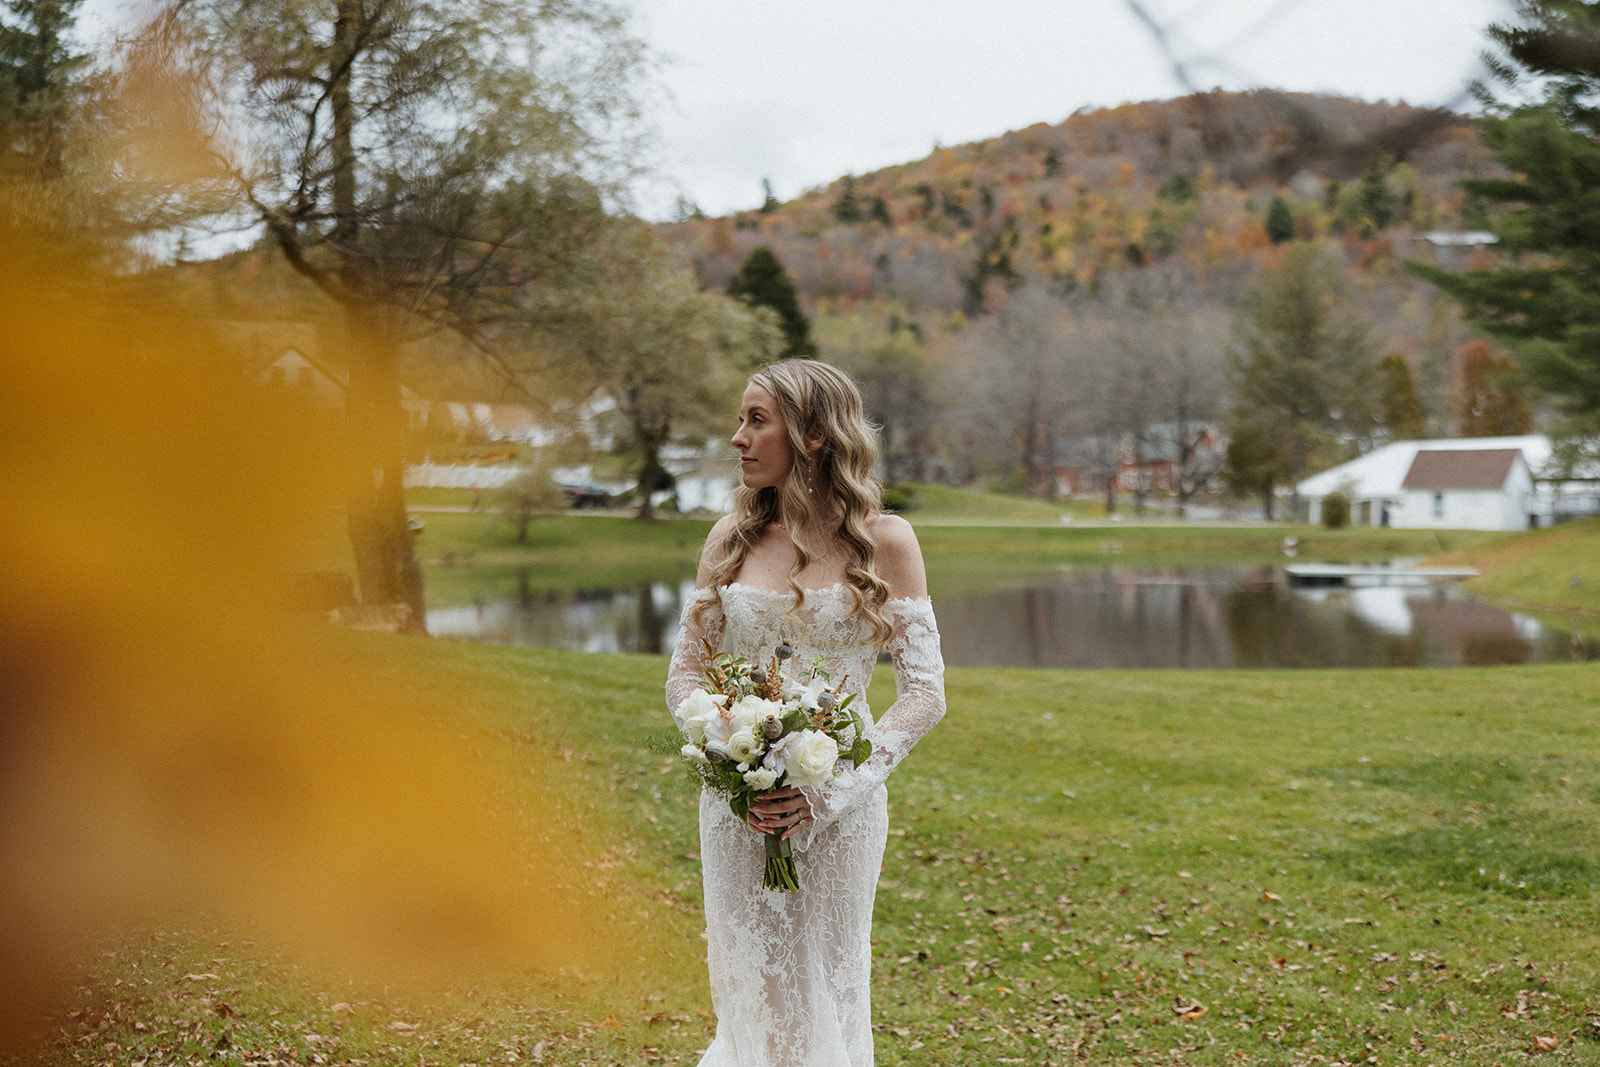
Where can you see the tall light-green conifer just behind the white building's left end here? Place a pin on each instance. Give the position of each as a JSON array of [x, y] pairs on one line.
[[1302, 369]]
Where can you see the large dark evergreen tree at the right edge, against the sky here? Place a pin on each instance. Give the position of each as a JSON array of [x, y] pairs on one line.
[[1545, 300]]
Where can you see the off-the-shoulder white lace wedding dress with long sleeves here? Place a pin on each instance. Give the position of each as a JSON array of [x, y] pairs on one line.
[[791, 972]]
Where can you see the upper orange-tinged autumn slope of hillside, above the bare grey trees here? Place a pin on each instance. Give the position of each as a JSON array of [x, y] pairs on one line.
[[1103, 191]]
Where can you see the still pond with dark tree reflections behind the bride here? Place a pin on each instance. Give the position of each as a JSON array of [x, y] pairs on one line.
[[1098, 617]]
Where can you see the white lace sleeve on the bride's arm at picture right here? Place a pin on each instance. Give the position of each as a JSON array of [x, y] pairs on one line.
[[919, 706]]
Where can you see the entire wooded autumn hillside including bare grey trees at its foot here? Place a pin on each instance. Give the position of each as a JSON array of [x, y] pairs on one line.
[[1028, 310]]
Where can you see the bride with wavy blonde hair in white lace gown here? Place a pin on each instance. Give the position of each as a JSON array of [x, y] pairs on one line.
[[807, 557]]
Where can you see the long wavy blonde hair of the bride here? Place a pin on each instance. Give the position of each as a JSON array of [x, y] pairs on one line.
[[815, 399]]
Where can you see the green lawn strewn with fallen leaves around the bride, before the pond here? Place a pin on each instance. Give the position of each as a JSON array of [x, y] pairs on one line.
[[1086, 868]]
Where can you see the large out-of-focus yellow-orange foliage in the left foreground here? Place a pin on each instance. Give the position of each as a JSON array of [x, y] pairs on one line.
[[175, 738]]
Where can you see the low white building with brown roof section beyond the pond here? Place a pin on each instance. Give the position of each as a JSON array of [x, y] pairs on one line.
[[1455, 484]]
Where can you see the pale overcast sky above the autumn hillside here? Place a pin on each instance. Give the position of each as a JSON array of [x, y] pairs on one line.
[[802, 92]]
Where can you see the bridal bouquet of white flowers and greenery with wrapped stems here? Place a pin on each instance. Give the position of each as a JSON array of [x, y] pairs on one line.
[[753, 730]]
